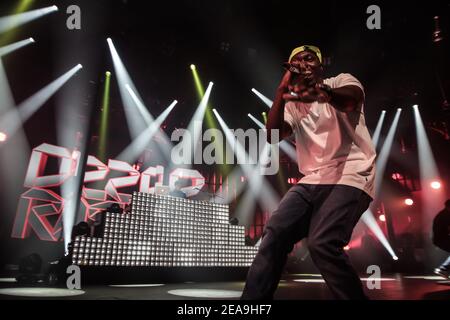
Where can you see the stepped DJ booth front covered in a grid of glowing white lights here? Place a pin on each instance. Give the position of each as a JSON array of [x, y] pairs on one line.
[[164, 231]]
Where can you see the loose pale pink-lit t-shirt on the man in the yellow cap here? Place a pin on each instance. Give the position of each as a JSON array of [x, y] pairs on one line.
[[333, 147]]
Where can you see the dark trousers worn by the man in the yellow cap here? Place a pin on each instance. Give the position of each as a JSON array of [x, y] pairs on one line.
[[326, 214]]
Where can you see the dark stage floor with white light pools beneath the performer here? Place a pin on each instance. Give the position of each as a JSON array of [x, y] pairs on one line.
[[292, 287]]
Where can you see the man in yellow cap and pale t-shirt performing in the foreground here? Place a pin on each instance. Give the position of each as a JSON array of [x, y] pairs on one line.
[[336, 156]]
